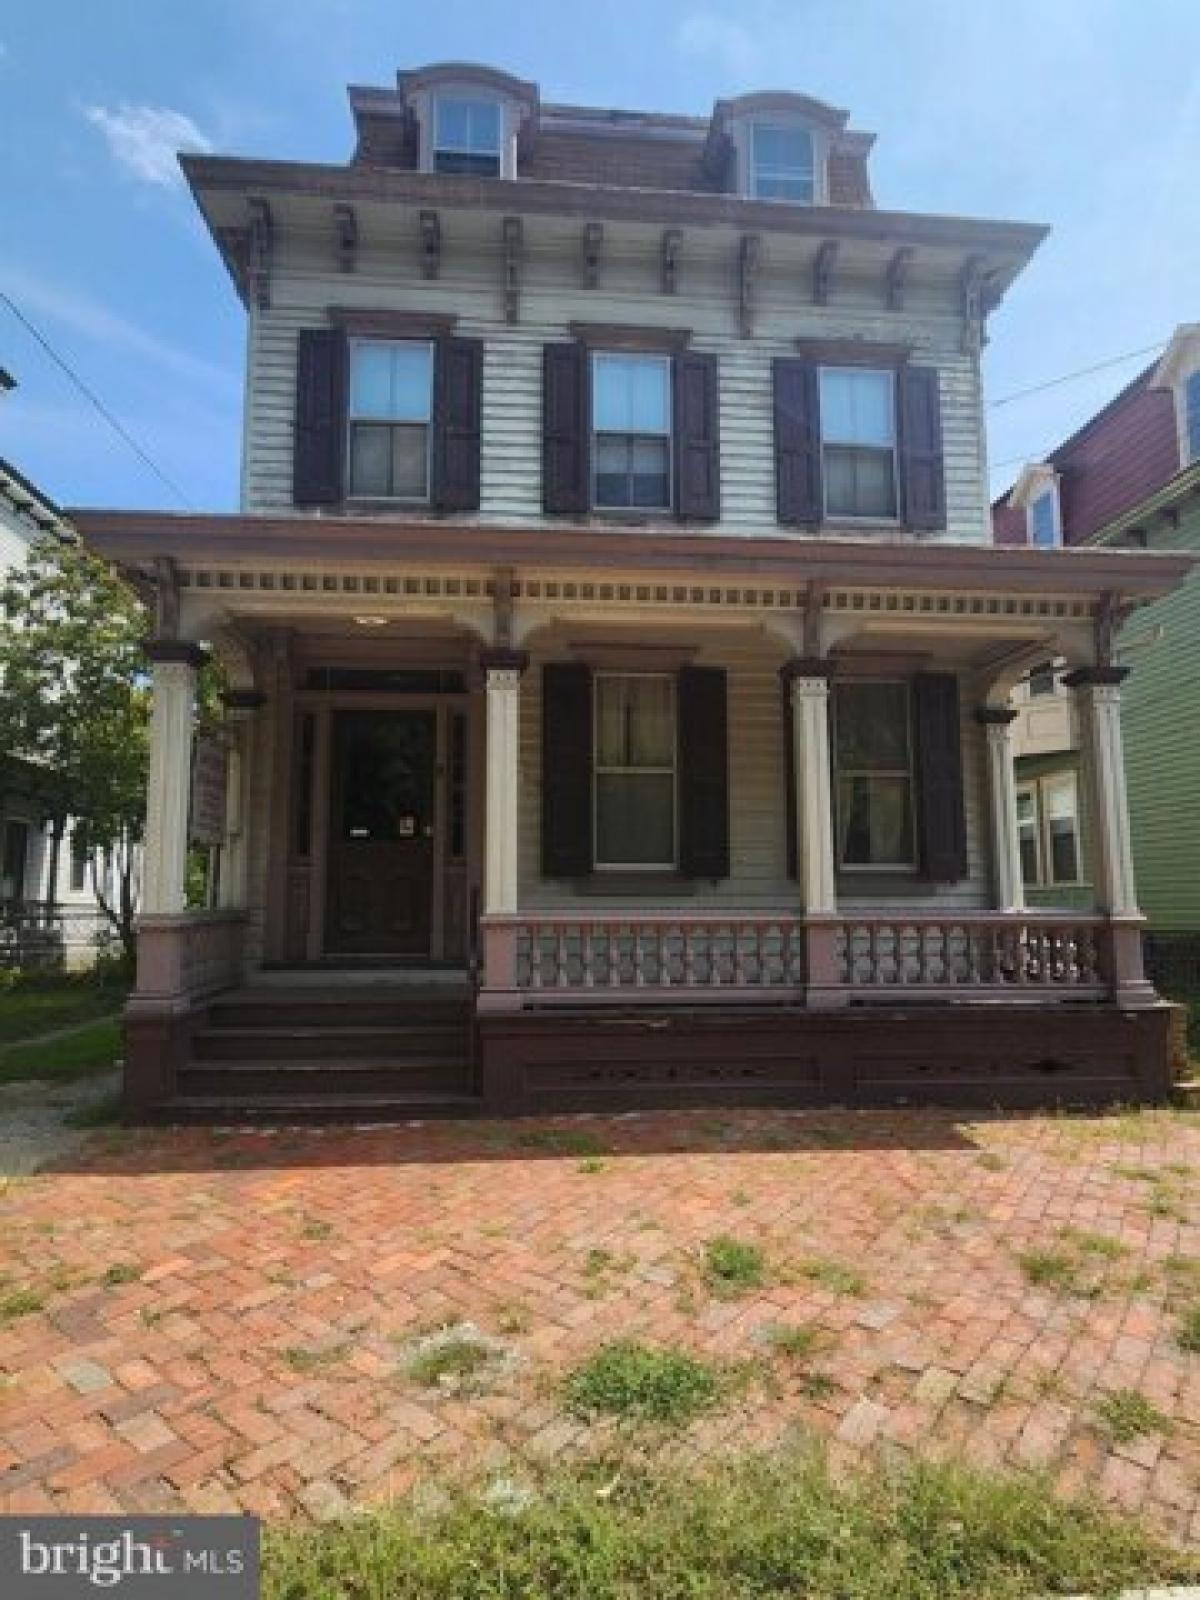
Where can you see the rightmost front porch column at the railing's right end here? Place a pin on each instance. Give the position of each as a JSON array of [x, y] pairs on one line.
[[1111, 849]]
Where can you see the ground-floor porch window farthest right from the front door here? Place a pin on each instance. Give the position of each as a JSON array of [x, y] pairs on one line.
[[873, 748]]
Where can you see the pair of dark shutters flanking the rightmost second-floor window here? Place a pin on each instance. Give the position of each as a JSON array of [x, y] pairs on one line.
[[798, 446]]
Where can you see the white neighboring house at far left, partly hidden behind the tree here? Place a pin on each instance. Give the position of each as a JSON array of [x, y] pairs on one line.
[[38, 919]]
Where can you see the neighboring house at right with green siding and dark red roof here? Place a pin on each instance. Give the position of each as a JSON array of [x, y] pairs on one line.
[[1129, 478]]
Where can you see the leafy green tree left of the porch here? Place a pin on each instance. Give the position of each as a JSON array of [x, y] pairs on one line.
[[74, 706]]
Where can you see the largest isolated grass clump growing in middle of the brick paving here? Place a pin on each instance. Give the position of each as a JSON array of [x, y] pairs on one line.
[[644, 1383]]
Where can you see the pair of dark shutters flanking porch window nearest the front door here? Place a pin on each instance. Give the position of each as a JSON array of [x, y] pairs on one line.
[[702, 766]]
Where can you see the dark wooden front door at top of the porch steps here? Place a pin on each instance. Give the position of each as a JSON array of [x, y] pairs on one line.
[[382, 833]]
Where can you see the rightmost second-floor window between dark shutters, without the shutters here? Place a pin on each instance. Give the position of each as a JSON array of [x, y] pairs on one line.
[[858, 442]]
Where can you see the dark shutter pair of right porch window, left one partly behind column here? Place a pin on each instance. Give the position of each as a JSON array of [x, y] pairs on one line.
[[938, 772]]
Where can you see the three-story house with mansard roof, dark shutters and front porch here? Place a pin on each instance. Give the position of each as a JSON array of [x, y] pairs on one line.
[[620, 662]]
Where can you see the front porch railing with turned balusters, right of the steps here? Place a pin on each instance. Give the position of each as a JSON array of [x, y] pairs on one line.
[[786, 958]]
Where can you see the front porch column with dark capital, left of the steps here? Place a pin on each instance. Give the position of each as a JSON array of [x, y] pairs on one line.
[[170, 783]]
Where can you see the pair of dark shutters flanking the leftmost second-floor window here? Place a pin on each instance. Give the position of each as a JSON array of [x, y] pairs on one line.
[[322, 388]]
